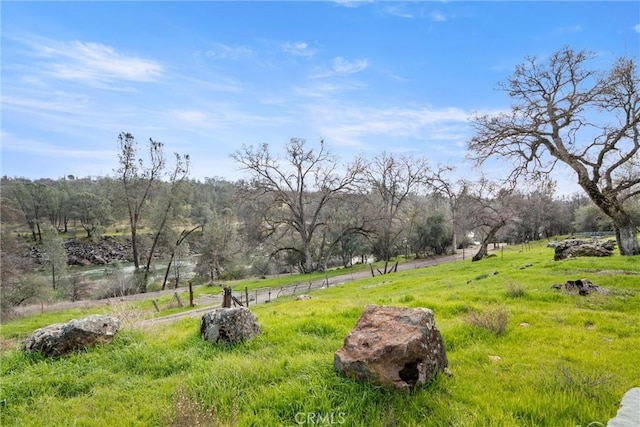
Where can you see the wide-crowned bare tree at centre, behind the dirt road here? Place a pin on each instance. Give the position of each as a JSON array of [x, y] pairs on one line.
[[302, 185]]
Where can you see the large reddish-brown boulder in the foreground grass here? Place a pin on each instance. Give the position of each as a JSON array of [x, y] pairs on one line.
[[398, 347]]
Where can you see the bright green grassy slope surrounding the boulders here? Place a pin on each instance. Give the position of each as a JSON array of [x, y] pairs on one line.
[[561, 361]]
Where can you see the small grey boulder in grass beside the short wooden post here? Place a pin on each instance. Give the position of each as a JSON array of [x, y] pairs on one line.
[[229, 325]]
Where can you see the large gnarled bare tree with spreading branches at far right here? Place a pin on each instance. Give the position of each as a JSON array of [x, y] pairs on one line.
[[564, 112]]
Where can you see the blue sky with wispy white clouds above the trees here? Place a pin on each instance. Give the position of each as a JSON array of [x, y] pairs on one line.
[[206, 77]]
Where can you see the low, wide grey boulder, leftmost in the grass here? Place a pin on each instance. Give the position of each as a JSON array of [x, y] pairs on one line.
[[63, 338]]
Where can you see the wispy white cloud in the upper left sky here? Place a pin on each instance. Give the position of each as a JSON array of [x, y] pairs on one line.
[[94, 62]]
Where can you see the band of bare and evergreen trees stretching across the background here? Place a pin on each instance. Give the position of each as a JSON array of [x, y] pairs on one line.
[[304, 210]]
